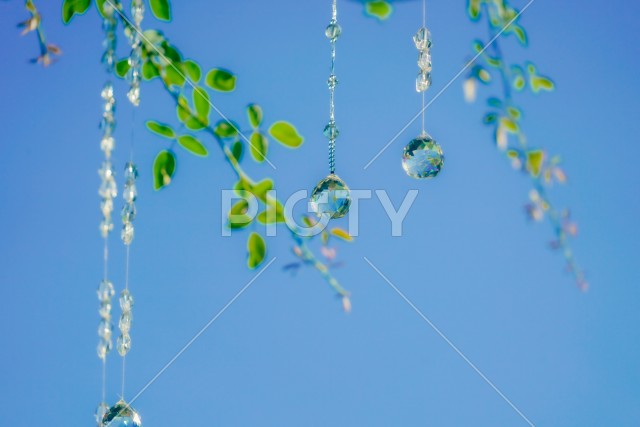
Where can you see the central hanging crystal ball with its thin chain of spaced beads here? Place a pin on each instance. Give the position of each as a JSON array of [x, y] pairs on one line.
[[331, 196]]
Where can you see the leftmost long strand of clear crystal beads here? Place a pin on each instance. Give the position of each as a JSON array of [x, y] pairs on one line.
[[107, 192]]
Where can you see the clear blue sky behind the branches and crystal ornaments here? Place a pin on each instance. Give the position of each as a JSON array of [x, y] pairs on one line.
[[284, 354]]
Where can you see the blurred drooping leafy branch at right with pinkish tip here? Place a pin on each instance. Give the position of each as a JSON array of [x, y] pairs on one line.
[[505, 119]]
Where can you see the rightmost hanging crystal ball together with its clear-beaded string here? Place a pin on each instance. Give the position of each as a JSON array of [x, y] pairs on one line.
[[422, 157]]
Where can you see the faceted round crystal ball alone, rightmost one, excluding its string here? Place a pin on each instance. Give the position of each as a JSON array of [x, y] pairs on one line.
[[422, 157]]
